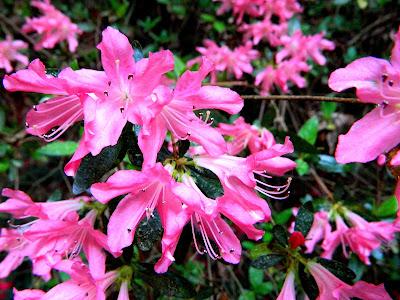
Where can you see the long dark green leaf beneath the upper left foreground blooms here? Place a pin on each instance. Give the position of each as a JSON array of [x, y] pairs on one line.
[[92, 168]]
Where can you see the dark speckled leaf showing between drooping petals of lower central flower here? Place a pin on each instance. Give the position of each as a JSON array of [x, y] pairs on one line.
[[149, 232]]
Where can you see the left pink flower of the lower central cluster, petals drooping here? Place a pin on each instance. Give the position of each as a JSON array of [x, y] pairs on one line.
[[146, 191]]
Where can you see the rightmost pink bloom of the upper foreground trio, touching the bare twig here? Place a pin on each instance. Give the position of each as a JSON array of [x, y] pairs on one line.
[[174, 112]]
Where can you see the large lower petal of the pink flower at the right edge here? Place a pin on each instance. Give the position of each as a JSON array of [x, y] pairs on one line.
[[370, 136]]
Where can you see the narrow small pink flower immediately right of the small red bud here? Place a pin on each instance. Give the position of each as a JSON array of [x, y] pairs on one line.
[[319, 230]]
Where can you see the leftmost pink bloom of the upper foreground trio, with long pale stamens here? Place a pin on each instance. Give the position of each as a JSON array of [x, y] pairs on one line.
[[50, 119]]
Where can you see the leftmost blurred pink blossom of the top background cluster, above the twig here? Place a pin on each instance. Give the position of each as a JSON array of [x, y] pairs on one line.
[[236, 61]]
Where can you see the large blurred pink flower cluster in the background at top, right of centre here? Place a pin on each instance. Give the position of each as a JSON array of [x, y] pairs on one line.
[[293, 50]]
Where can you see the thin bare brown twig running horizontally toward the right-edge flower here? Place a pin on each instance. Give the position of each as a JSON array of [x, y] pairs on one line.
[[304, 98]]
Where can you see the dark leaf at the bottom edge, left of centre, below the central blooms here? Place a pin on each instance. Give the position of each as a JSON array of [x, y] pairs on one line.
[[168, 284]]
